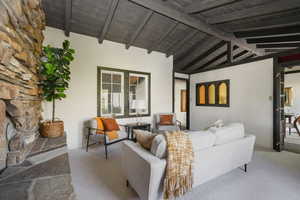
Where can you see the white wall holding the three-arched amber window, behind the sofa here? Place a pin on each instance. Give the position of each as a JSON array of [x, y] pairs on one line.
[[251, 94]]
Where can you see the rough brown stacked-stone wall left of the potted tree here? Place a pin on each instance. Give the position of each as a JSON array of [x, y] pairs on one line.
[[21, 36]]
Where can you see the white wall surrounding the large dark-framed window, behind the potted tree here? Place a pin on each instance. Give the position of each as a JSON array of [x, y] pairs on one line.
[[81, 102]]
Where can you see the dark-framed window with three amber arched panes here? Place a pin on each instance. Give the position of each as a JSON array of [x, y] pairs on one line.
[[214, 93]]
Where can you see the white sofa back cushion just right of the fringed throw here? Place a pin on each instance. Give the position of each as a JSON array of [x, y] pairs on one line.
[[202, 139]]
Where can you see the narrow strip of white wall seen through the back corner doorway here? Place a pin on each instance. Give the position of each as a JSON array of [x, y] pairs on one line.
[[179, 85]]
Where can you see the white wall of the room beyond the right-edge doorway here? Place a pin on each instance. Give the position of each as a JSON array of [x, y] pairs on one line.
[[293, 80]]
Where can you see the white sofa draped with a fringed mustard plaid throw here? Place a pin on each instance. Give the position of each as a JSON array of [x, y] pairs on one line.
[[217, 152]]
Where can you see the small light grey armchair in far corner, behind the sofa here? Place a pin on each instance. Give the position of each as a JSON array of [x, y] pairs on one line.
[[176, 126]]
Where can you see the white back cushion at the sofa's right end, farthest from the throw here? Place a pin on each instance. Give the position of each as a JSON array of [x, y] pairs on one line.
[[228, 133]]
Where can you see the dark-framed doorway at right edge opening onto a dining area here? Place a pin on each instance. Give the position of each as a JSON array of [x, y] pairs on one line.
[[287, 103]]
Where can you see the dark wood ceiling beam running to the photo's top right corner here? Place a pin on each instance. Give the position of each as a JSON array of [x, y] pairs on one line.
[[264, 9]]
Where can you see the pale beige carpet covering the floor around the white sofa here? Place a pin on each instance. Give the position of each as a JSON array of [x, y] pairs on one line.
[[271, 176]]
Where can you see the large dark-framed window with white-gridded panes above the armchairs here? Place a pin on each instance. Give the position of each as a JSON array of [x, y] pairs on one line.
[[123, 93]]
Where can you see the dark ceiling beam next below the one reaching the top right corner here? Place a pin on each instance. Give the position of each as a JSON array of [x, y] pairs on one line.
[[287, 30]]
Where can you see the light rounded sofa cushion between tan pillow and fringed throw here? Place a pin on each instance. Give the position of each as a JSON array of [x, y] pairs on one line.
[[159, 146]]
